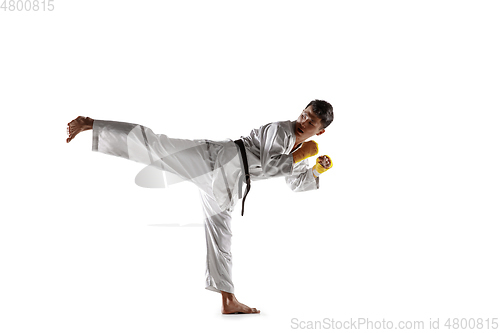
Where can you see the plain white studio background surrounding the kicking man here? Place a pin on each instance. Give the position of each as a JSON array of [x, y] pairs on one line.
[[404, 227]]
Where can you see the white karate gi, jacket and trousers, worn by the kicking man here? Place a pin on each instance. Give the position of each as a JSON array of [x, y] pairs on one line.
[[216, 168]]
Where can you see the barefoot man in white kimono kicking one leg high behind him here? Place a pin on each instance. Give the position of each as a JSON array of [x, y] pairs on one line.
[[219, 168]]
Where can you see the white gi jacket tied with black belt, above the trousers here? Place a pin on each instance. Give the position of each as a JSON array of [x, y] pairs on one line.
[[269, 154]]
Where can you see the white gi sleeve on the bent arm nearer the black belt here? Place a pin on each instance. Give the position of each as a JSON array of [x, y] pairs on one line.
[[273, 142]]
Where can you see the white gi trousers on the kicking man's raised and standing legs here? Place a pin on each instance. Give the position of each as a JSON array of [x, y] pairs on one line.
[[191, 160]]
